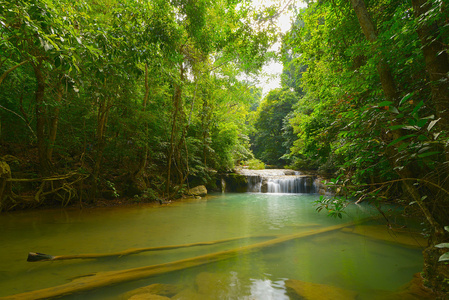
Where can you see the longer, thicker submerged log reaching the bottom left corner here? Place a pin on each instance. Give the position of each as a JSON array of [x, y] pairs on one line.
[[102, 279]]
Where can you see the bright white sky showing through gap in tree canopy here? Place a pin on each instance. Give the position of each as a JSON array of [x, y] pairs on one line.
[[274, 69]]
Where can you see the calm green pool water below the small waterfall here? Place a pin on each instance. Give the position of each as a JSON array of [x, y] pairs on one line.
[[337, 258]]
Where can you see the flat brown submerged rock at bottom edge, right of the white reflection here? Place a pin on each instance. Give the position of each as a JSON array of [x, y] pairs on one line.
[[297, 289]]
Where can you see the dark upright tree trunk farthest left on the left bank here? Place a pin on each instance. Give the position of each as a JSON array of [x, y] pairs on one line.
[[45, 165]]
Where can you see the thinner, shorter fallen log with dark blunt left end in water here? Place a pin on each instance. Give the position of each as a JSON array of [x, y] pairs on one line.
[[36, 256]]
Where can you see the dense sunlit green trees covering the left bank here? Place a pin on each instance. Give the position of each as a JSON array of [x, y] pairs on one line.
[[130, 87]]
